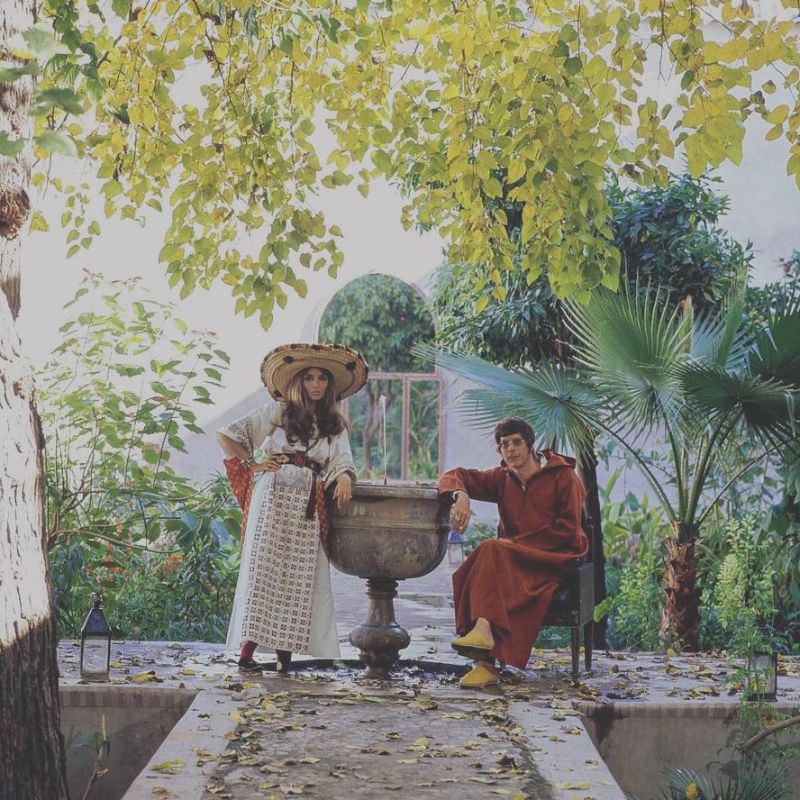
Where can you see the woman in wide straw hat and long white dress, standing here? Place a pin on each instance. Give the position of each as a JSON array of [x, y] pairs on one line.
[[281, 458]]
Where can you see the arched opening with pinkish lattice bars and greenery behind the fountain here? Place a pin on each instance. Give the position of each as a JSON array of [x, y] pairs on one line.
[[383, 318]]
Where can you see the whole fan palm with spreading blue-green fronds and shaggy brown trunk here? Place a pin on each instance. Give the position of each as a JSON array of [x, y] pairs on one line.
[[646, 372]]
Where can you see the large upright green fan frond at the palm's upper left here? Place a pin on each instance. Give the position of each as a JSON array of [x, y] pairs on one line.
[[629, 344]]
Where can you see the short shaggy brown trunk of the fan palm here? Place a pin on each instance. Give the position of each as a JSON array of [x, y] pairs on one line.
[[680, 622]]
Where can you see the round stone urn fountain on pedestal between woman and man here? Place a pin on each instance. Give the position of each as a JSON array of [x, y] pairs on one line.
[[387, 534]]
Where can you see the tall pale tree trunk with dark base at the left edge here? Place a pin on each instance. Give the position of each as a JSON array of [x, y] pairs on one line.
[[32, 764]]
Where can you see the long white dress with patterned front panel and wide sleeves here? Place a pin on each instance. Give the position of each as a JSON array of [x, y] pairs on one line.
[[283, 596]]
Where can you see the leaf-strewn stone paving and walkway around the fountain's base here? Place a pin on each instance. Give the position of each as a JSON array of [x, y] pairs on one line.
[[329, 733]]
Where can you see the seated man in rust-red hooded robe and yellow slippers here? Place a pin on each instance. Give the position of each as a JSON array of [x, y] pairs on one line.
[[503, 590]]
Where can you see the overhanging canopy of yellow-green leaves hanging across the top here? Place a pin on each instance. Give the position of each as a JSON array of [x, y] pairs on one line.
[[466, 104]]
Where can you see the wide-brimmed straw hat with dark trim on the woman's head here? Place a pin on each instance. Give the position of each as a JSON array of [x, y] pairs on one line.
[[348, 367]]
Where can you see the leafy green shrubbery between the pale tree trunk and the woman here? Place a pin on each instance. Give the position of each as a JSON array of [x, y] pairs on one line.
[[115, 401]]
